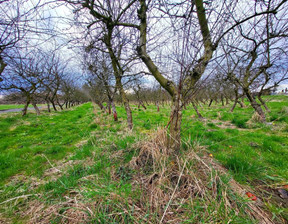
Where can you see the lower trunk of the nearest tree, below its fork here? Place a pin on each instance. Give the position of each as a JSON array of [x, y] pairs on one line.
[[174, 137]]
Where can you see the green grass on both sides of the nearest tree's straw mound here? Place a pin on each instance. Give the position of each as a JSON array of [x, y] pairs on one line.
[[97, 168]]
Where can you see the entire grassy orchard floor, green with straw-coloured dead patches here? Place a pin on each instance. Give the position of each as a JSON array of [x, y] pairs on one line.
[[79, 164]]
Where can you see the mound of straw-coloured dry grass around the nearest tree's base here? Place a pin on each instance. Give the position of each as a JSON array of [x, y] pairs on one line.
[[170, 183]]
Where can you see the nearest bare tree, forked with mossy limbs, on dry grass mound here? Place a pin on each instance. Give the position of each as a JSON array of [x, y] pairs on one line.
[[190, 74]]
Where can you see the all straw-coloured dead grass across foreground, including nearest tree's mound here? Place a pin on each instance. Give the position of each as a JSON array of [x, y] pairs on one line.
[[167, 183]]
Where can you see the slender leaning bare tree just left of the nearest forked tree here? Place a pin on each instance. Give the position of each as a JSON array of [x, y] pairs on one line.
[[106, 28]]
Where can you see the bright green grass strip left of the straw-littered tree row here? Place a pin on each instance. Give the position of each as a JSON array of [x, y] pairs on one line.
[[24, 140]]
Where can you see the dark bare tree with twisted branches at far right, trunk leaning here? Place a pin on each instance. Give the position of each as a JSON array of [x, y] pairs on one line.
[[253, 57]]
